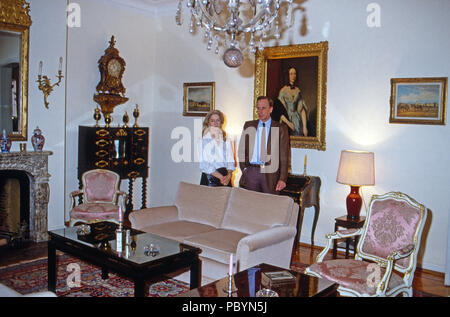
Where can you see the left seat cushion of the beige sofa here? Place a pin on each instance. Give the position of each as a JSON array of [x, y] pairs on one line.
[[178, 230]]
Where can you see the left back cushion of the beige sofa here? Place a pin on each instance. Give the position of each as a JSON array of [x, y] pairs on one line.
[[202, 204]]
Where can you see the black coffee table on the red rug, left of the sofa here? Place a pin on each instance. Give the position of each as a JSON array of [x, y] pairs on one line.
[[99, 248]]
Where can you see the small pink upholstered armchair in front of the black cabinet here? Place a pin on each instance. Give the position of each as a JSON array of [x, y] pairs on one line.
[[101, 198]]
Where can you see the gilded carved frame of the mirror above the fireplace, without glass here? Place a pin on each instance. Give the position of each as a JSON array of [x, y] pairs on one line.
[[14, 16]]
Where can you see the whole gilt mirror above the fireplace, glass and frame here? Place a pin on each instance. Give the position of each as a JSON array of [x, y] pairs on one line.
[[15, 23]]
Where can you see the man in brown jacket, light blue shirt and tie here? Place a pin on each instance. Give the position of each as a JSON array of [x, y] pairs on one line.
[[264, 151]]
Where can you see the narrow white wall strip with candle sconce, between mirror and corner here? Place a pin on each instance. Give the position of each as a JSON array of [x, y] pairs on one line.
[[47, 44]]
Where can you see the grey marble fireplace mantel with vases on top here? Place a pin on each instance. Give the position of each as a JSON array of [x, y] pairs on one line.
[[35, 165]]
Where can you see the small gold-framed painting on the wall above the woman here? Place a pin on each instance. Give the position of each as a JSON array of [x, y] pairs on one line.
[[198, 98]]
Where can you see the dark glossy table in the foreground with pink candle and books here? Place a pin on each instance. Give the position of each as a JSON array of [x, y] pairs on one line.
[[303, 286]]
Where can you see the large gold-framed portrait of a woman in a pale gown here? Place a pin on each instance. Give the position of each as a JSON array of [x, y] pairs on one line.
[[295, 78]]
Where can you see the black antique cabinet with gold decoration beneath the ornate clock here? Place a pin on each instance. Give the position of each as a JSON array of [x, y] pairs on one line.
[[119, 149]]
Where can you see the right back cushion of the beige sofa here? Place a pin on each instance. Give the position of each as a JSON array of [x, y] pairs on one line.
[[250, 212]]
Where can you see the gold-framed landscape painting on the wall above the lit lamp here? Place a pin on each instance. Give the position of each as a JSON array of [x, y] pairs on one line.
[[418, 100]]
